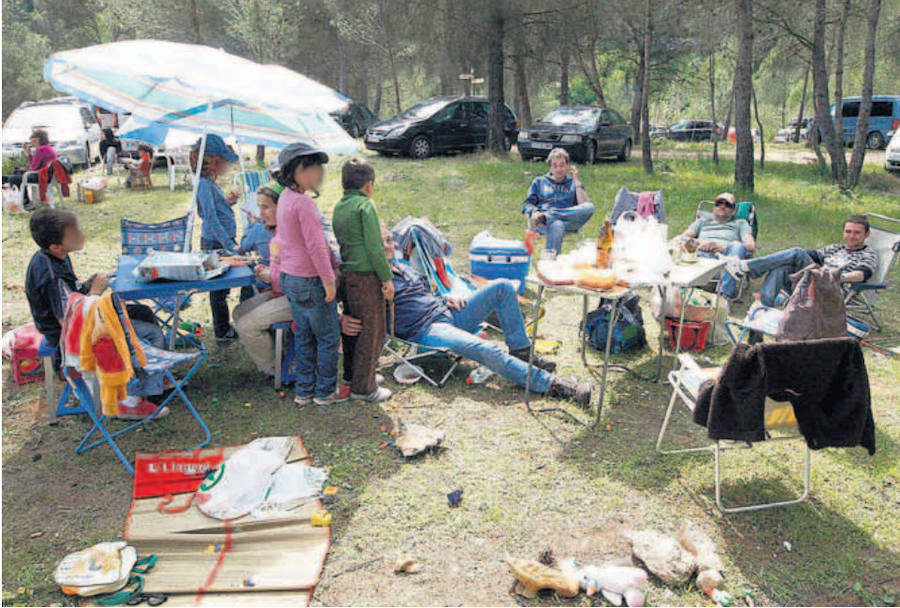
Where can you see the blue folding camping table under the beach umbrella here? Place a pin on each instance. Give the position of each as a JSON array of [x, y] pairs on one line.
[[128, 288]]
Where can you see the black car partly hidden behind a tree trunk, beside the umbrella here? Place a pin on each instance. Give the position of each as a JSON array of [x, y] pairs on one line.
[[437, 125]]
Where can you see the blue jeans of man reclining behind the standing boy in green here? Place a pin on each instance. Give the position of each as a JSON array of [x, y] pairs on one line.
[[456, 334]]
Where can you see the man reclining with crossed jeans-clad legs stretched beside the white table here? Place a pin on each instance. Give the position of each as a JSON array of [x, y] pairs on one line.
[[429, 320]]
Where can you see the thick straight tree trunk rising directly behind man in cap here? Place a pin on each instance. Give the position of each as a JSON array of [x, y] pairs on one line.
[[743, 154]]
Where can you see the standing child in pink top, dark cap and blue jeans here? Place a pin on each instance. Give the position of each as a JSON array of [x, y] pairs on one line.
[[308, 277]]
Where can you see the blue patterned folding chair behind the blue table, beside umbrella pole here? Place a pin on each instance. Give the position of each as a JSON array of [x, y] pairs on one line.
[[138, 238]]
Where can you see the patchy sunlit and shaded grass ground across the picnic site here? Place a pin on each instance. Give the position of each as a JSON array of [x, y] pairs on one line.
[[531, 483]]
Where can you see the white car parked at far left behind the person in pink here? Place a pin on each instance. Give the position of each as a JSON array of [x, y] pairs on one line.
[[70, 124]]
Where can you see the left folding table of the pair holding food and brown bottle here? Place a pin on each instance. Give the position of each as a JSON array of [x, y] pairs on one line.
[[616, 295]]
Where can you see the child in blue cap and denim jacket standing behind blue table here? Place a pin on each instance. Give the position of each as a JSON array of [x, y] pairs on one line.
[[219, 229]]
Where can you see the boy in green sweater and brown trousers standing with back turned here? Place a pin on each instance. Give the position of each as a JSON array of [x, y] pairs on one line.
[[366, 277]]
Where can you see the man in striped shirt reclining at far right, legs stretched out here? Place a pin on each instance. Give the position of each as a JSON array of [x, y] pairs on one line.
[[856, 260]]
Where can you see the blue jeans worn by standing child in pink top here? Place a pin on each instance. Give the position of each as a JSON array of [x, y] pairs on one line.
[[316, 338]]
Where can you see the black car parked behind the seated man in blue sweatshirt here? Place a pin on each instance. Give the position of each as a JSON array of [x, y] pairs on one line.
[[585, 132]]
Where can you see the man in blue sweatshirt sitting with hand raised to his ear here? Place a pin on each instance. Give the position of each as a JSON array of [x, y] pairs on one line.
[[557, 202]]
